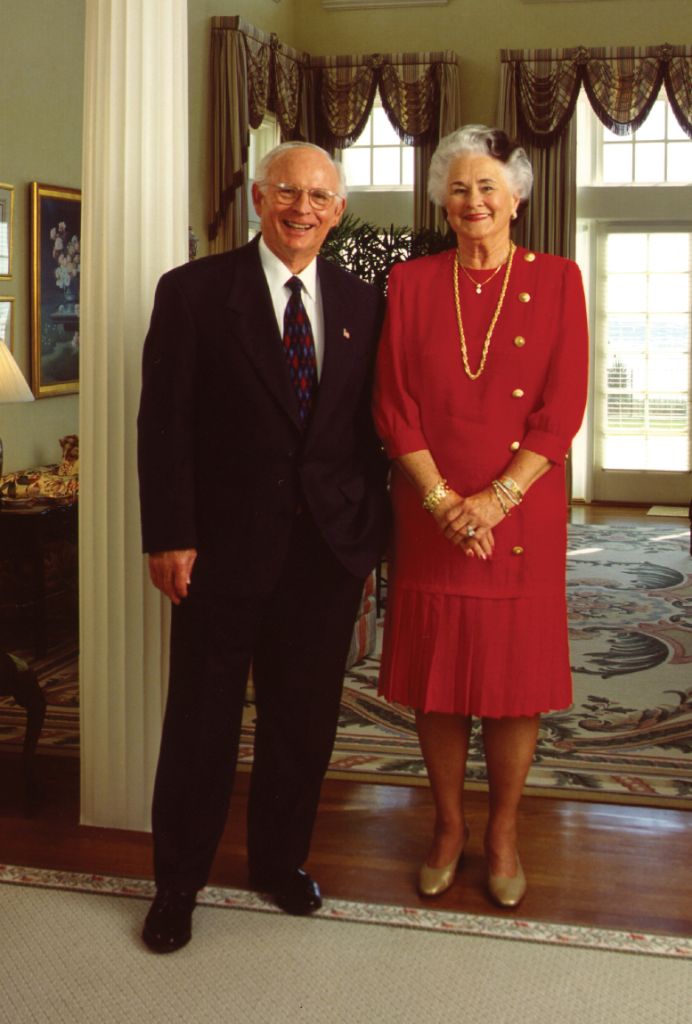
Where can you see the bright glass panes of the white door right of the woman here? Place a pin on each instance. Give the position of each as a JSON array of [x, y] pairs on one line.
[[643, 324]]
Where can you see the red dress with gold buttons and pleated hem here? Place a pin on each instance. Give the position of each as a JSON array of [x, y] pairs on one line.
[[462, 635]]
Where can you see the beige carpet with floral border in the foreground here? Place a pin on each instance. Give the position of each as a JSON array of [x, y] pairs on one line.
[[76, 958]]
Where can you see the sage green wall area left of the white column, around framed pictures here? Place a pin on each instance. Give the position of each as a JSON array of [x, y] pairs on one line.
[[41, 88]]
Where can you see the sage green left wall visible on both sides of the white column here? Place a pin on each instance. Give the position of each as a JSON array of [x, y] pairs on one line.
[[41, 87]]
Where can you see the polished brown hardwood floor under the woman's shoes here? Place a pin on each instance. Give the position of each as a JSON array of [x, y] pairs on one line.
[[604, 866]]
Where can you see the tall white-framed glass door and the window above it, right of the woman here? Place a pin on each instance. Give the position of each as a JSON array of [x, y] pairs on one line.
[[635, 246]]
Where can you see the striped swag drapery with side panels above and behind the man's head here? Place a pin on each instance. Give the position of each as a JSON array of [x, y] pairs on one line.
[[321, 100]]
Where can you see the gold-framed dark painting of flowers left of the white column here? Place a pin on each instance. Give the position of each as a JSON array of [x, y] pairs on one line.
[[57, 232]]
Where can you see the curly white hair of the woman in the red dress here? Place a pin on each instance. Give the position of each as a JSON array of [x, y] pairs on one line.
[[488, 143]]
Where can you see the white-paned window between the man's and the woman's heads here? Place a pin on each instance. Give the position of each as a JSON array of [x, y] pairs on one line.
[[379, 159]]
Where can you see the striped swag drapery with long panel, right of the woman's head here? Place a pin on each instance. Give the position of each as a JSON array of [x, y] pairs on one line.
[[539, 94]]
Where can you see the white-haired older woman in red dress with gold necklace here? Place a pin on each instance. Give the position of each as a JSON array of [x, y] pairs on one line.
[[481, 389]]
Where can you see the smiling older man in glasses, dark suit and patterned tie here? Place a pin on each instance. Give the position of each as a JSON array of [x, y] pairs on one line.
[[264, 509]]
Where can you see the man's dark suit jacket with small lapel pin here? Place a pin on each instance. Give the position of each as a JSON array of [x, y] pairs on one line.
[[224, 464]]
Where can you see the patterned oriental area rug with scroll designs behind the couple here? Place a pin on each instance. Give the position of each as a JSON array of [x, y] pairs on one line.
[[627, 738]]
